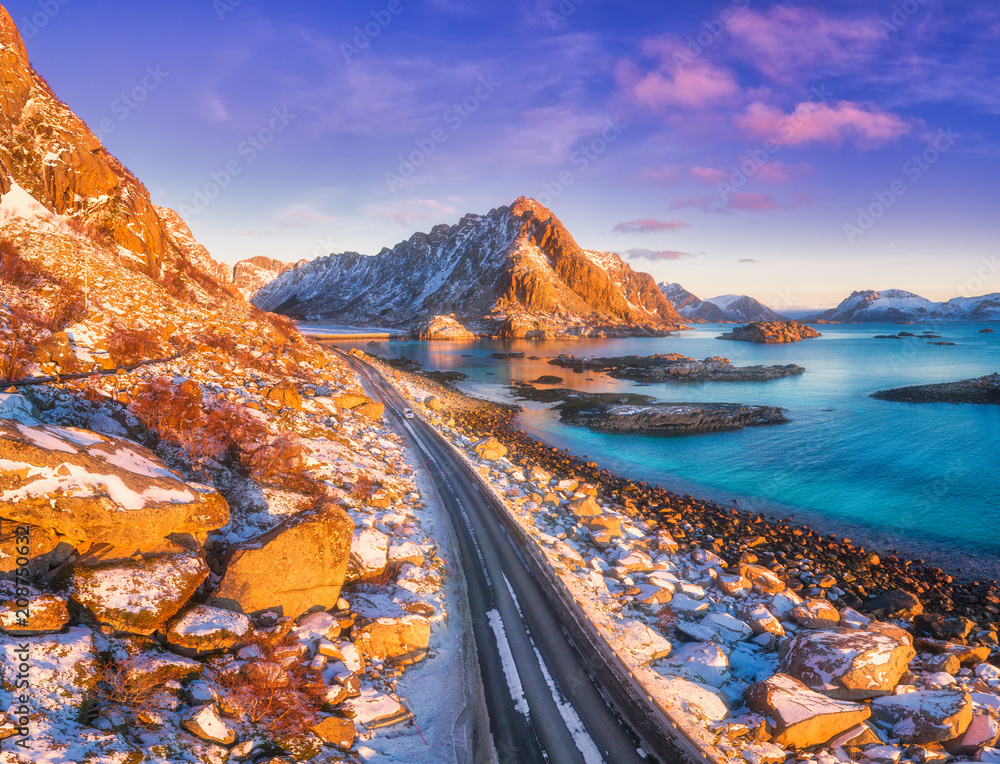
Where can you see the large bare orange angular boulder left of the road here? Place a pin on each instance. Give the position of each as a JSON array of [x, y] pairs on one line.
[[299, 565]]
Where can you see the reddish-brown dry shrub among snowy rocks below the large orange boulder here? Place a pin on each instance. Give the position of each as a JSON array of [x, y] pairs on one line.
[[275, 692]]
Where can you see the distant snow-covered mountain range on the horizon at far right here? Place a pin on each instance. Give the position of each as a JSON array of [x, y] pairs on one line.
[[896, 305]]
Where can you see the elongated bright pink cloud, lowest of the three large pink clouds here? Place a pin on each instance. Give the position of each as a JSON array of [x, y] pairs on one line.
[[866, 126]]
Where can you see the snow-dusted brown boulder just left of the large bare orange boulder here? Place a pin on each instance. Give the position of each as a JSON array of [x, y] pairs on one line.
[[138, 596]]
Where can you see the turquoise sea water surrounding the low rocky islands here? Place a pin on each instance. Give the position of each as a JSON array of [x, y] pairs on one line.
[[918, 478]]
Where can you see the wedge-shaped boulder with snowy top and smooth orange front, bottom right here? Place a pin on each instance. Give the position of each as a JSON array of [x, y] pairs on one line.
[[802, 717]]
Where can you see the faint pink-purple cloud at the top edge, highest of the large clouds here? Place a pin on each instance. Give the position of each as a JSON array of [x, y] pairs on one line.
[[785, 42]]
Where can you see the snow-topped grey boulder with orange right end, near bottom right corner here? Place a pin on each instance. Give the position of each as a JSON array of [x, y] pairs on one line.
[[927, 716]]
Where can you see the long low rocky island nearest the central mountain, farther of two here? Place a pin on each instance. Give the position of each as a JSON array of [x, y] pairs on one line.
[[662, 367]]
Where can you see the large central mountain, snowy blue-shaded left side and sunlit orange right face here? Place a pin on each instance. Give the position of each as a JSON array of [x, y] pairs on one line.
[[515, 271]]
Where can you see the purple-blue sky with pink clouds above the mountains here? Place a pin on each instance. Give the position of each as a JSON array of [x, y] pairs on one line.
[[793, 151]]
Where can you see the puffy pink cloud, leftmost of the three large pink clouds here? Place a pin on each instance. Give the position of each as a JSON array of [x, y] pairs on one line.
[[674, 80]]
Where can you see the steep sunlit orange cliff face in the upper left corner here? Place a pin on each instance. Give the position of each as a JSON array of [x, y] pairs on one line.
[[50, 152]]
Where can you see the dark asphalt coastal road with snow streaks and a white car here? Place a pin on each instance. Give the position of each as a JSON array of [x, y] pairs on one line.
[[544, 702]]
